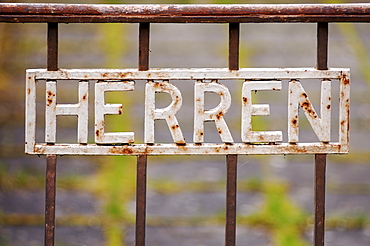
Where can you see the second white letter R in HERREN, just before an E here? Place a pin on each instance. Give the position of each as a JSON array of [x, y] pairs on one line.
[[216, 114]]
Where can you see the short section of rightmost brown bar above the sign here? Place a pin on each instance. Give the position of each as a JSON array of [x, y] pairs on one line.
[[322, 45]]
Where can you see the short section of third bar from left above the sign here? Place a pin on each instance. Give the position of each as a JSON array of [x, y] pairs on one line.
[[234, 33]]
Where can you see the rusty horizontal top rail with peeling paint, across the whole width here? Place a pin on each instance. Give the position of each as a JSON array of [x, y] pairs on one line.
[[225, 13]]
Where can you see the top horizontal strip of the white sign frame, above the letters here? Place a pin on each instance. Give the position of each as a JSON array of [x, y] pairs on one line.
[[189, 74]]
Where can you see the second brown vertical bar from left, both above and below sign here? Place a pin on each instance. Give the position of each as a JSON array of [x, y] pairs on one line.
[[144, 32]]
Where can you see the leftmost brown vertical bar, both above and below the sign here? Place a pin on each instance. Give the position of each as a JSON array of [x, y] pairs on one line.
[[51, 160]]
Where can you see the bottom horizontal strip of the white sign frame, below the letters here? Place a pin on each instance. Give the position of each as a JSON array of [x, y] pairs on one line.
[[191, 149]]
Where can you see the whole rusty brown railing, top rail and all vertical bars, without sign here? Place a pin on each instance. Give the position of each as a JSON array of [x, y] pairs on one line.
[[53, 14]]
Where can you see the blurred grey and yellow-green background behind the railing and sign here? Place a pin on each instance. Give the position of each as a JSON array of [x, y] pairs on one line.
[[186, 195]]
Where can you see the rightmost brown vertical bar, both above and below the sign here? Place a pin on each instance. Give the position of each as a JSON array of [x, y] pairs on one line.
[[320, 159]]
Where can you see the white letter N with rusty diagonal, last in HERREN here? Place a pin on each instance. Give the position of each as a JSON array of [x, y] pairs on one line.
[[298, 97]]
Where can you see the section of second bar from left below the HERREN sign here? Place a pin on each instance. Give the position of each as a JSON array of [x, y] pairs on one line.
[[141, 200]]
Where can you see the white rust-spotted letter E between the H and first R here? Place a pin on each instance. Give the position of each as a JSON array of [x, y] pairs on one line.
[[101, 109]]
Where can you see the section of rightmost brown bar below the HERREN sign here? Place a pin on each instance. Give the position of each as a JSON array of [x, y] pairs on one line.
[[320, 173]]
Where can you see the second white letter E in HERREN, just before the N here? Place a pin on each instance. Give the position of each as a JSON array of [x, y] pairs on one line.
[[249, 109]]
